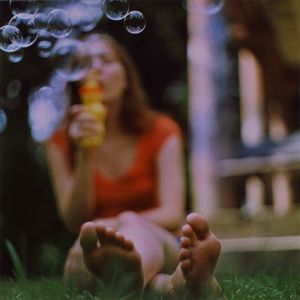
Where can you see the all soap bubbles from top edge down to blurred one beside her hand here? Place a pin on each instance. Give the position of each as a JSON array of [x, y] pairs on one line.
[[53, 27]]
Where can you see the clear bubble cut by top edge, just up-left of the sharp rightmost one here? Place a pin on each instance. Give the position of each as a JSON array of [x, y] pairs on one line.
[[115, 9]]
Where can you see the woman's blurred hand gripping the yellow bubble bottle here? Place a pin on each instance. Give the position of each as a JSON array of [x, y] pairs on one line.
[[83, 124]]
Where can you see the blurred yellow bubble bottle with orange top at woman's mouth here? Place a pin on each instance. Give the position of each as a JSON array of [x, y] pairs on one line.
[[91, 93]]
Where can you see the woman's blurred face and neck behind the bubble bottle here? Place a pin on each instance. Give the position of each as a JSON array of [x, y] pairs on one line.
[[107, 69]]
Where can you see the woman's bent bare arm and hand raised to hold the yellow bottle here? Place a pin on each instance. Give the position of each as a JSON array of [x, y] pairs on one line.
[[74, 186]]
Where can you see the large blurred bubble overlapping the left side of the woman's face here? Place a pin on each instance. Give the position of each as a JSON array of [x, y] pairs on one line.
[[68, 59]]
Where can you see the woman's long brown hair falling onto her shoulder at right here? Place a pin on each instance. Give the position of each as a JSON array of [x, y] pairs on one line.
[[135, 116]]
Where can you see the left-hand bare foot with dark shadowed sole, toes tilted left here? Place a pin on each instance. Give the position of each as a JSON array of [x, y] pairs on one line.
[[112, 258]]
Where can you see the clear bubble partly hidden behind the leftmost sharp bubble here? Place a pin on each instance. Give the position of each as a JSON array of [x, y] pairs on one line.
[[25, 23]]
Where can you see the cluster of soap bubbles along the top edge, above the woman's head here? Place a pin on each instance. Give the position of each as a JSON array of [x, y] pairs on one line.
[[39, 22]]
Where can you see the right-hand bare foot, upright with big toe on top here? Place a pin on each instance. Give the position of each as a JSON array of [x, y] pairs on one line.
[[198, 256]]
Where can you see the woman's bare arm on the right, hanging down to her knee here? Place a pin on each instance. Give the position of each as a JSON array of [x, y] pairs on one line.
[[171, 186]]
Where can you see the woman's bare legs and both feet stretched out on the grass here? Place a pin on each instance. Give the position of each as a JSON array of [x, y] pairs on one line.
[[144, 249]]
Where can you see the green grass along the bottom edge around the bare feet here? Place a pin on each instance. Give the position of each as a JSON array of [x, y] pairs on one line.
[[262, 286]]
